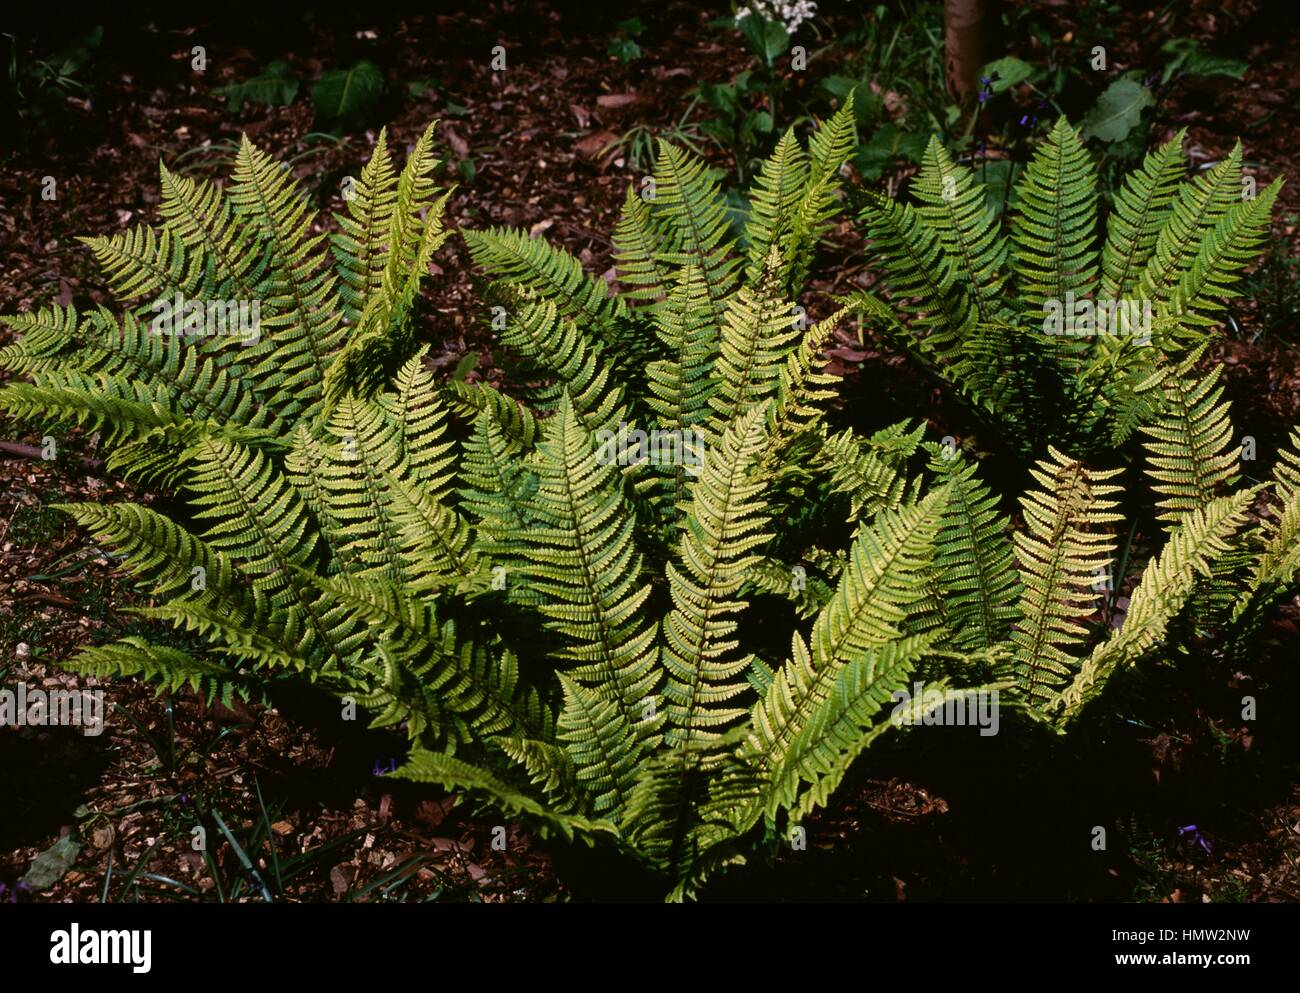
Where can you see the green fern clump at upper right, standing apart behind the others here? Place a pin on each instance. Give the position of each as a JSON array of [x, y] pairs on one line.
[[1048, 326]]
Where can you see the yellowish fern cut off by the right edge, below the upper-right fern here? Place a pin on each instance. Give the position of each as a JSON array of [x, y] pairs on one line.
[[1225, 560]]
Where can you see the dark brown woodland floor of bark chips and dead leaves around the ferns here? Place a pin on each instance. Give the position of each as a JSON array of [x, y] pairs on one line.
[[917, 823]]
